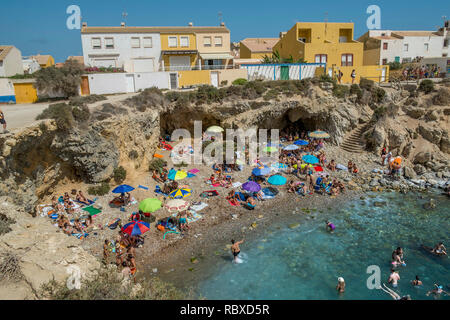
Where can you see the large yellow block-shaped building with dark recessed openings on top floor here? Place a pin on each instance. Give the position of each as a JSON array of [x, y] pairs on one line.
[[332, 44]]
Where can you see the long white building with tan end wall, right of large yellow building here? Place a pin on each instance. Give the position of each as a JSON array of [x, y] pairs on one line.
[[385, 46]]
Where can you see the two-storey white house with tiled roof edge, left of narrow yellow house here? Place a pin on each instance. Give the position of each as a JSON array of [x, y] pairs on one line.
[[138, 51]]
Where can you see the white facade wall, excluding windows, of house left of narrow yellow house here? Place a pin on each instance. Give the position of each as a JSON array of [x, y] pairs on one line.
[[123, 53]]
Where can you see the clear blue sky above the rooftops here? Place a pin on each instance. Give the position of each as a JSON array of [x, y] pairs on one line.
[[40, 26]]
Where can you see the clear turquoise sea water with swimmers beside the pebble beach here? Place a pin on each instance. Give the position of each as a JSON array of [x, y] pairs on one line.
[[304, 263]]
